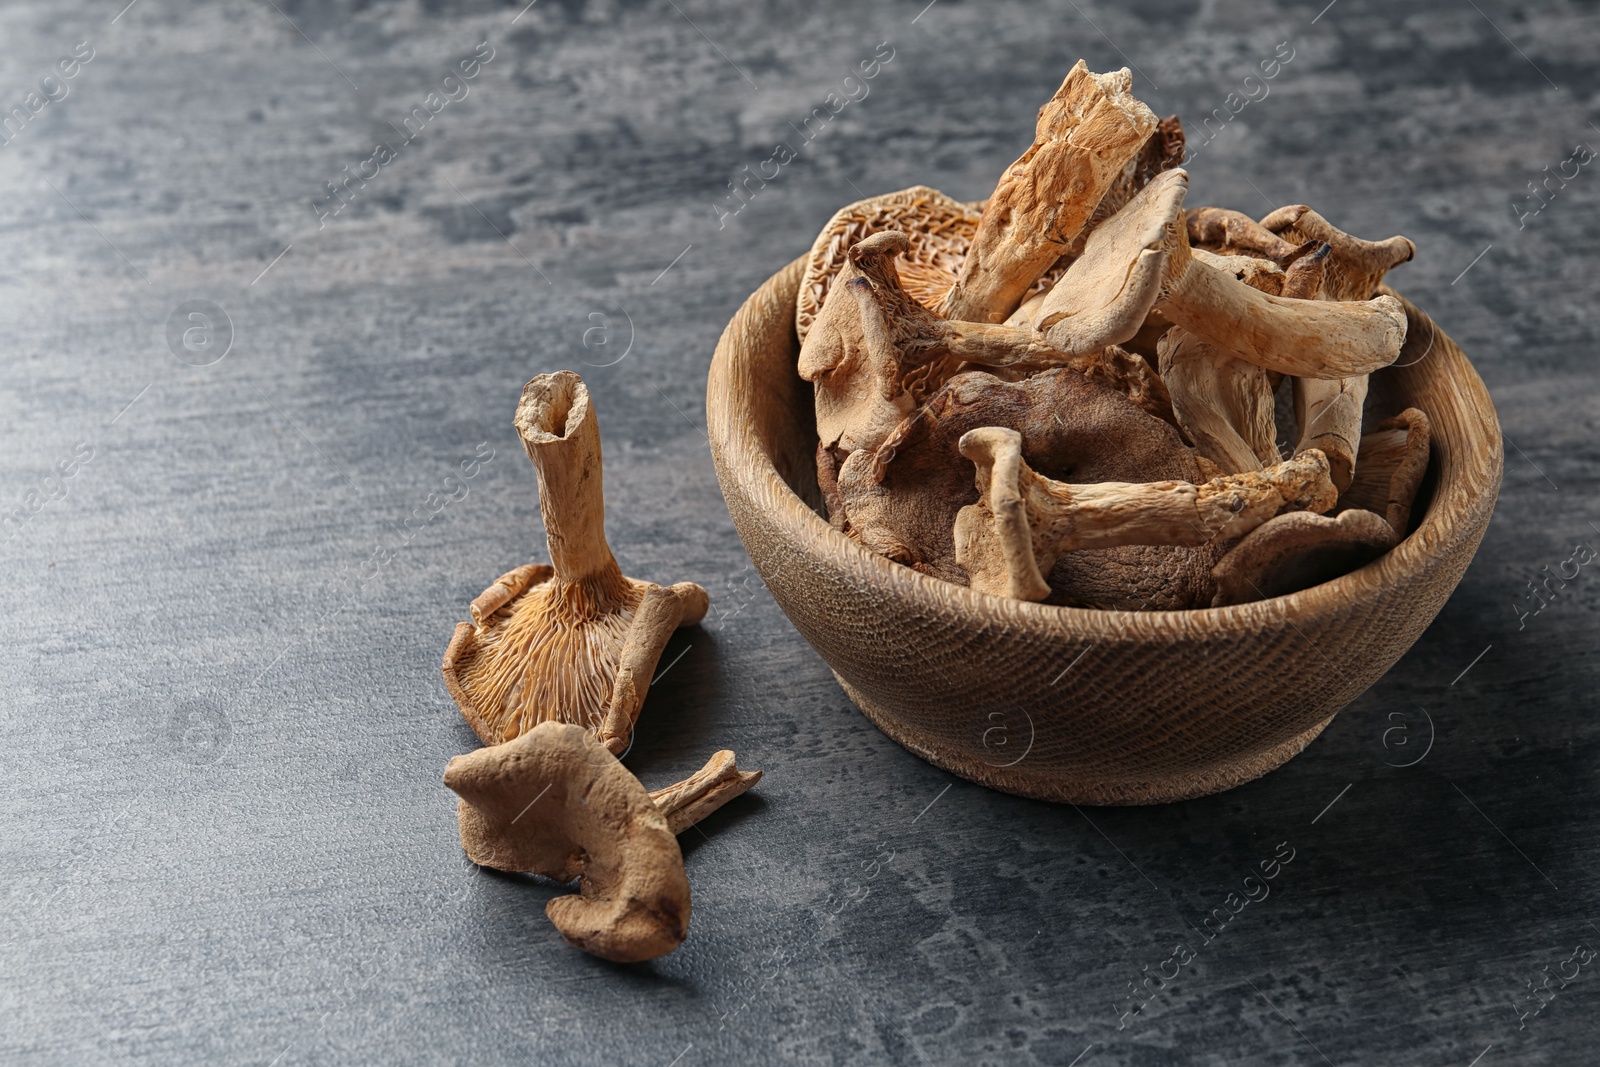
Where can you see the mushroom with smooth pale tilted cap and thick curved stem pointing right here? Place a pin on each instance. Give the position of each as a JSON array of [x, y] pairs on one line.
[[1292, 337]]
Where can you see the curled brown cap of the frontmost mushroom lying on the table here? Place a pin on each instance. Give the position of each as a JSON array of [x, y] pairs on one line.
[[556, 804]]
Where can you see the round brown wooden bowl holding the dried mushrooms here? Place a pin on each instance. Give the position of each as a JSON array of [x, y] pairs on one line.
[[1070, 705]]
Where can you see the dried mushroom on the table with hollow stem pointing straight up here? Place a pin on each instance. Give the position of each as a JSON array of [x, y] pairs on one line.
[[575, 642]]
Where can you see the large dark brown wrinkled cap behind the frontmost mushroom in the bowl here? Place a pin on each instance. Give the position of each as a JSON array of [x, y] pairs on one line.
[[903, 500]]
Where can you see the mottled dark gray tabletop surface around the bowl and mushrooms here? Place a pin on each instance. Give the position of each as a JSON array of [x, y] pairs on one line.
[[226, 839]]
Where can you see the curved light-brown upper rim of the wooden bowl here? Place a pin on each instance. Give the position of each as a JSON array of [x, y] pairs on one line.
[[1463, 489]]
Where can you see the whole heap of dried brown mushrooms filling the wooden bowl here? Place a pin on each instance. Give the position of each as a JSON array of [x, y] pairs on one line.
[[1081, 393]]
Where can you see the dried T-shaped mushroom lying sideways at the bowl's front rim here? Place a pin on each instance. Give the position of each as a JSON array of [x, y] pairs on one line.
[[1023, 521]]
